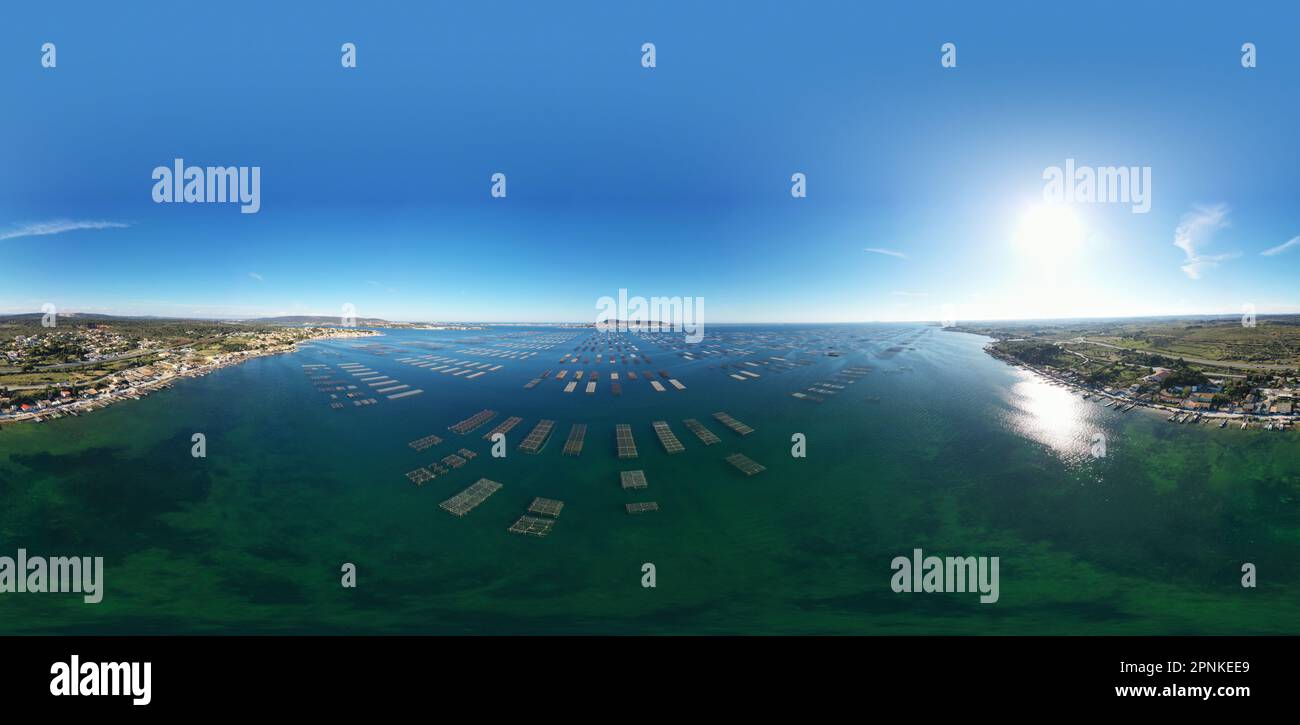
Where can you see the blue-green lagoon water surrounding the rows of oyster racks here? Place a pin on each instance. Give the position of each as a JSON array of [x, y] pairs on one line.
[[961, 455]]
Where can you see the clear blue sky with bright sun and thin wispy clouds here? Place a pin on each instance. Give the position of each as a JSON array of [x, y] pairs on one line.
[[666, 181]]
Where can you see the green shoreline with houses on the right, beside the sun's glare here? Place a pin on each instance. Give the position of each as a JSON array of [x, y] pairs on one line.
[[1220, 370]]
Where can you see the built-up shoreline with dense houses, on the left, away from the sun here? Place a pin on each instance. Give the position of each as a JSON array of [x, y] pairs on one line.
[[86, 362]]
